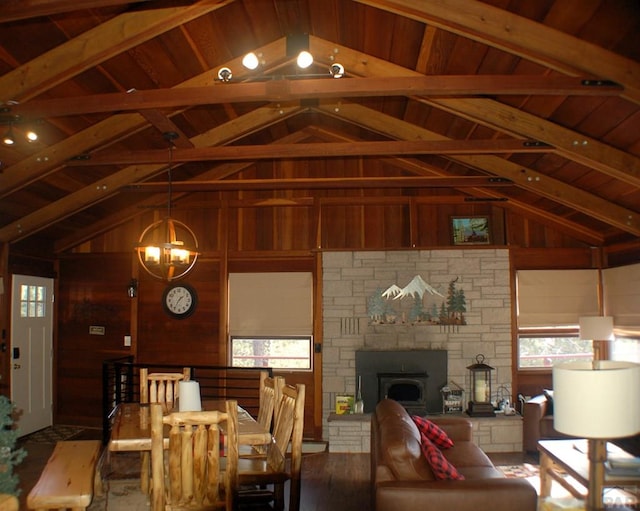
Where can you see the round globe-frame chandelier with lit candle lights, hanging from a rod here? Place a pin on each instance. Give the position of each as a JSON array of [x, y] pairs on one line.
[[168, 249]]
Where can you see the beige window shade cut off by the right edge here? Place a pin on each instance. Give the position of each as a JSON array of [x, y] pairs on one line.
[[621, 287]]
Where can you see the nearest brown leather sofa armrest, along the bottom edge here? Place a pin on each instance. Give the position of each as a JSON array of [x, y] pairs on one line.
[[469, 495]]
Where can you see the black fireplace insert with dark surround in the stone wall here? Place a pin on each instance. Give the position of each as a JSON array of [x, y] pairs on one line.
[[411, 377]]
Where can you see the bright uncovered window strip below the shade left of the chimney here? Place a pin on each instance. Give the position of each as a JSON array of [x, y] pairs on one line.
[[292, 353]]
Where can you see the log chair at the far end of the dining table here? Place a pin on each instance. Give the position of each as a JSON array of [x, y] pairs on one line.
[[158, 388]]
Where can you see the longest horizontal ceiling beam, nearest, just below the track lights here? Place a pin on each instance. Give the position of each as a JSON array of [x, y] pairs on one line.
[[289, 90]]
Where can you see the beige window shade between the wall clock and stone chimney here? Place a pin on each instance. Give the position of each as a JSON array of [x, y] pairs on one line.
[[278, 303]]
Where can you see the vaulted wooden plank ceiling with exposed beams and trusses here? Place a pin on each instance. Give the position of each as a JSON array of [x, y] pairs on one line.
[[535, 104]]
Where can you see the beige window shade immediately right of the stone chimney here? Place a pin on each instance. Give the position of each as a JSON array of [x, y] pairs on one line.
[[556, 297]]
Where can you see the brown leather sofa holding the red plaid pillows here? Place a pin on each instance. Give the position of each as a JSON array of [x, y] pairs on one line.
[[401, 477]]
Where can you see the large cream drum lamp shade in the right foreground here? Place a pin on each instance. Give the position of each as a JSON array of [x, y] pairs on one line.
[[597, 400]]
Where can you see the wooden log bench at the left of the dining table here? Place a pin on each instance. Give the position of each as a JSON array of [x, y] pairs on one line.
[[67, 481]]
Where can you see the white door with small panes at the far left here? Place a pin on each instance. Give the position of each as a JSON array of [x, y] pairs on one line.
[[32, 352]]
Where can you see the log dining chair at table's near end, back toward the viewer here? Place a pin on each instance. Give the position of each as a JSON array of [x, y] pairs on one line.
[[199, 470]]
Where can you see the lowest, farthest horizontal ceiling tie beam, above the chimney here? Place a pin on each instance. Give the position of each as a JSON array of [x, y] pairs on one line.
[[323, 183]]
